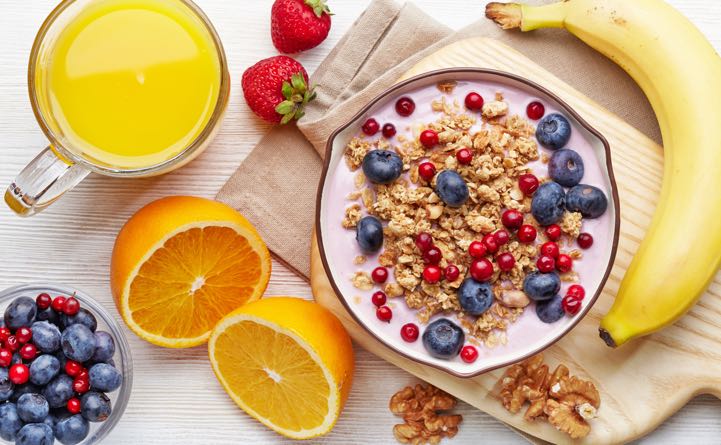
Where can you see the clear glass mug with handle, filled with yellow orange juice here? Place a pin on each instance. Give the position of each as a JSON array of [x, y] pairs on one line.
[[125, 88]]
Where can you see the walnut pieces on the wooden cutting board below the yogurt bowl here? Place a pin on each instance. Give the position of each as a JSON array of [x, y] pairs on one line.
[[567, 402]]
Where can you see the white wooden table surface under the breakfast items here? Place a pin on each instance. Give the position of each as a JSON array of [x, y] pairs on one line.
[[176, 399]]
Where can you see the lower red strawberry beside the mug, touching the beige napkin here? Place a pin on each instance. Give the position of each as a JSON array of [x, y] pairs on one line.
[[276, 89]]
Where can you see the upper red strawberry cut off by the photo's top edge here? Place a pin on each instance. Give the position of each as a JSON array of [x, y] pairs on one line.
[[298, 25]]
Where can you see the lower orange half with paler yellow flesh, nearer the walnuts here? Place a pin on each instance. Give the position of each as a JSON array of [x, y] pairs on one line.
[[285, 361]]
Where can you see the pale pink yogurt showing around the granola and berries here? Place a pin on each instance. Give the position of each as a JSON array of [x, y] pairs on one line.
[[528, 332]]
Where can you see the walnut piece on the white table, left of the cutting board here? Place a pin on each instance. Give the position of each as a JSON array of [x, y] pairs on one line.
[[422, 410]]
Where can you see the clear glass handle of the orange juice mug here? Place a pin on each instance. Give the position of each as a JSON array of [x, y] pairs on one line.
[[42, 182]]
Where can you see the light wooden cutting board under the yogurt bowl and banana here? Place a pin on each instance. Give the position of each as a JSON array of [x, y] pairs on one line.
[[642, 383]]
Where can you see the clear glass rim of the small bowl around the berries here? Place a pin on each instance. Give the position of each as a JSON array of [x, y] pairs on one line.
[[122, 358]]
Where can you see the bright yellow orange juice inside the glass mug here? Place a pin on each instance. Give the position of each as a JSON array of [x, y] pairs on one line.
[[130, 84]]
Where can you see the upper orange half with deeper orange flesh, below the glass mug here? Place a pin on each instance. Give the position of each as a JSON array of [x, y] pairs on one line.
[[180, 264]]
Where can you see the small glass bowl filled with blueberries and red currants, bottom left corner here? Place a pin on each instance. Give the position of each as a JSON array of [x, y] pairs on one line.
[[66, 375]]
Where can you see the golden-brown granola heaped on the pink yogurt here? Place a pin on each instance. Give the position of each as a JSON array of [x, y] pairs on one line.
[[502, 145]]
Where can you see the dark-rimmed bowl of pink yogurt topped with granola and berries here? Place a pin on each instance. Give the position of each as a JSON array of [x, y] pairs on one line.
[[442, 285]]
